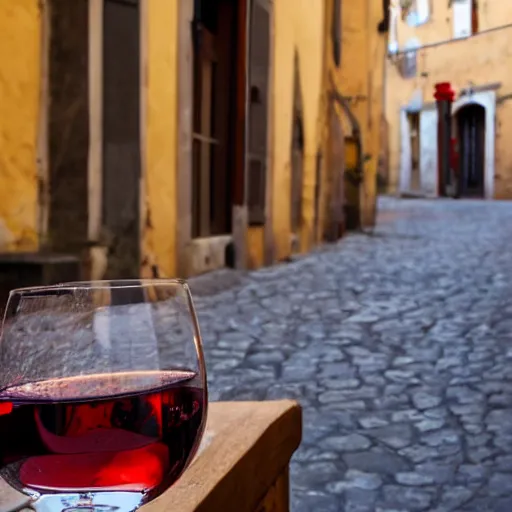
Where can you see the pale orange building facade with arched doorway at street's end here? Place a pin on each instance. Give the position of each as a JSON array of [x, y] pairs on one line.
[[465, 43]]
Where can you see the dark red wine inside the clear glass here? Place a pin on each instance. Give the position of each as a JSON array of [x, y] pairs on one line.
[[117, 432]]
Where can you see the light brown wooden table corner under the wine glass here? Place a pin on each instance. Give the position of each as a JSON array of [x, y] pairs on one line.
[[242, 464]]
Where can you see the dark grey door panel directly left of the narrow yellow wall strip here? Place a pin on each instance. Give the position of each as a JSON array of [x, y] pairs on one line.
[[121, 136]]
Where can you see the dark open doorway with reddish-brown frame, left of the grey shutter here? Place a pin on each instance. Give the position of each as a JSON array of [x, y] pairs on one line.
[[215, 93]]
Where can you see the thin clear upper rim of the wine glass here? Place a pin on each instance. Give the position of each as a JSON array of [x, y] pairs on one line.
[[102, 284]]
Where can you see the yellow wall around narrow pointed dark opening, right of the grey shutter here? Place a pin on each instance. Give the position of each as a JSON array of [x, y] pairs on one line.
[[298, 27]]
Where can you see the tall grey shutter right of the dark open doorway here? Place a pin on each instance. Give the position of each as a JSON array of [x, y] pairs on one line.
[[259, 67]]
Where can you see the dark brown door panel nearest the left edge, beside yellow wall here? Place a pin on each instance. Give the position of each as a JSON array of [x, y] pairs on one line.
[[68, 126]]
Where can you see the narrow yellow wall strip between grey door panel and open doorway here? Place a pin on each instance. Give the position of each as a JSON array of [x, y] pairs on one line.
[[159, 144]]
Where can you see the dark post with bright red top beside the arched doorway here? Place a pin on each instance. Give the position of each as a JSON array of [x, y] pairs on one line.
[[444, 96]]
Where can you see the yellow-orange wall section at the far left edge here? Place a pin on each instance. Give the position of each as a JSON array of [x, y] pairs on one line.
[[20, 66]]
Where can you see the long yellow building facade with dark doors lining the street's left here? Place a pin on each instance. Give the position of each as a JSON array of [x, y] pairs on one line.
[[158, 138]]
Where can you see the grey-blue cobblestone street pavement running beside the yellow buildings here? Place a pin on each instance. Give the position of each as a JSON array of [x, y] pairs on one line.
[[397, 345]]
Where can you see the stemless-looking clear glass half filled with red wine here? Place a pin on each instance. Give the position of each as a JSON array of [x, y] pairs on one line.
[[103, 395]]
